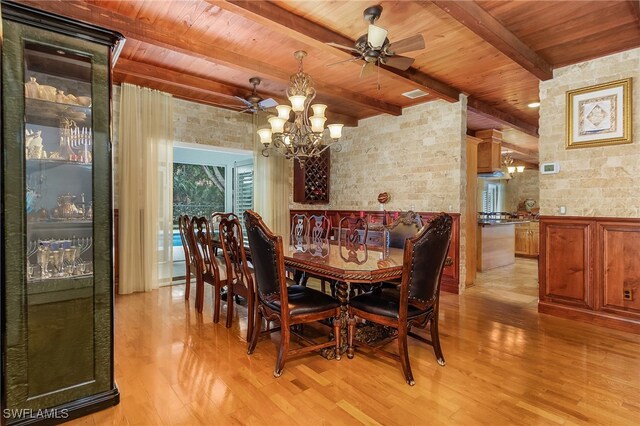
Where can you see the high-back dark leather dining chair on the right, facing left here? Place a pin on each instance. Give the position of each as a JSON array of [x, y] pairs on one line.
[[415, 302]]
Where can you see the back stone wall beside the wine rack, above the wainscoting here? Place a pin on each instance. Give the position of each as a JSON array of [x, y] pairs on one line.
[[419, 158]]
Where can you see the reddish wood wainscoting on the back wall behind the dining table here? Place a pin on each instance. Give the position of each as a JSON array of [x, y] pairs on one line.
[[451, 271]]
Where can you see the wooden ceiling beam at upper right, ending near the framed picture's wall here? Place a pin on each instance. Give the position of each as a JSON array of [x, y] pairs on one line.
[[474, 17]]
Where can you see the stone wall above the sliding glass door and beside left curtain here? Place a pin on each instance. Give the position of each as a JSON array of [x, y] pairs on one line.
[[195, 123]]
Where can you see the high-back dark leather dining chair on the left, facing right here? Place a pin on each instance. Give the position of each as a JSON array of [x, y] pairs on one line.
[[289, 304]]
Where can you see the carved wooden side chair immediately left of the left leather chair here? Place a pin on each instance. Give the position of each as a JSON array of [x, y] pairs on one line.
[[239, 274]]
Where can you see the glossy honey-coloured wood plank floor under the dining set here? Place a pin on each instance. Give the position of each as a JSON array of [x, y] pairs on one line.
[[506, 364]]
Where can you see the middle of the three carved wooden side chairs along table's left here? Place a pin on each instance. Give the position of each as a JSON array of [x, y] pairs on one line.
[[210, 268]]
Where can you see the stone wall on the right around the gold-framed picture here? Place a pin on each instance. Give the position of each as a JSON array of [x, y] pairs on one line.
[[599, 181]]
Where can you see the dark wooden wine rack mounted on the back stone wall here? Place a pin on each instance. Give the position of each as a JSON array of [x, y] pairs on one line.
[[311, 181]]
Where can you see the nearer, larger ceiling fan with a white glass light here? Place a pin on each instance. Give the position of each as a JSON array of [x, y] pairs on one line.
[[374, 47]]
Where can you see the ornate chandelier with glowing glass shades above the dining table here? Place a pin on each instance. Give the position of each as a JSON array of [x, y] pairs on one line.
[[305, 136]]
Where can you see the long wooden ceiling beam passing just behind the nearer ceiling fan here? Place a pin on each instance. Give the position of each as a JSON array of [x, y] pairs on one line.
[[272, 16]]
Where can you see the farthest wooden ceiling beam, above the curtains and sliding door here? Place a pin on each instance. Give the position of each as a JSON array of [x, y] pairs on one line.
[[201, 89]]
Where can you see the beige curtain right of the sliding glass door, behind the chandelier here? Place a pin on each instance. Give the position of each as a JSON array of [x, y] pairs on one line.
[[270, 183]]
